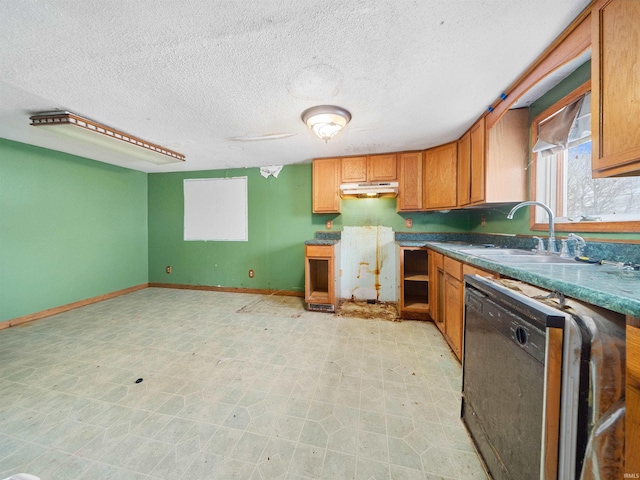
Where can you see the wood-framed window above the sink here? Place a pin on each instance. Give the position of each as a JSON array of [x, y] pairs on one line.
[[561, 175]]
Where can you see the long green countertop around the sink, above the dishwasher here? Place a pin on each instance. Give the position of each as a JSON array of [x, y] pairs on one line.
[[607, 286]]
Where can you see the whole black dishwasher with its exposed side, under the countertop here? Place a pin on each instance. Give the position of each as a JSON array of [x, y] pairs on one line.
[[543, 382]]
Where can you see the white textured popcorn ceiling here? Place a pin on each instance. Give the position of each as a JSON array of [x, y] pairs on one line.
[[208, 78]]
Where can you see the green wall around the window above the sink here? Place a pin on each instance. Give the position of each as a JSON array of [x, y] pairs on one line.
[[495, 218]]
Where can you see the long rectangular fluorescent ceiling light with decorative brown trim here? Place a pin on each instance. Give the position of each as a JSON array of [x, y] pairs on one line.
[[87, 130]]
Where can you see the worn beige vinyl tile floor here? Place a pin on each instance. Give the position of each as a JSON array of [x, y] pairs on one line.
[[234, 386]]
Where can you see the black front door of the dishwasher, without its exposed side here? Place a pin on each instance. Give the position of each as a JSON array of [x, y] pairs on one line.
[[504, 373]]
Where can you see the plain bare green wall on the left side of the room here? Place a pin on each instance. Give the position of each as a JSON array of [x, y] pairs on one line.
[[70, 229]]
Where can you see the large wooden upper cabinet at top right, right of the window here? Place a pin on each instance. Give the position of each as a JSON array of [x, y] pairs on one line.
[[615, 95]]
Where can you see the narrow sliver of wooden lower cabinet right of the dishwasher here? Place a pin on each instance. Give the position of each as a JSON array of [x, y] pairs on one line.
[[632, 427]]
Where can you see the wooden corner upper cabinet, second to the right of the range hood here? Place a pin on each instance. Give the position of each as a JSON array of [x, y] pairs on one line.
[[439, 177]]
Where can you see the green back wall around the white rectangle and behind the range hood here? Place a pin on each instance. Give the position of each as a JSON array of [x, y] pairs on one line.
[[280, 221]]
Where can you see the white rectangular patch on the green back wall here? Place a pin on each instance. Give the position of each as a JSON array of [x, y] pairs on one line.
[[216, 209]]
